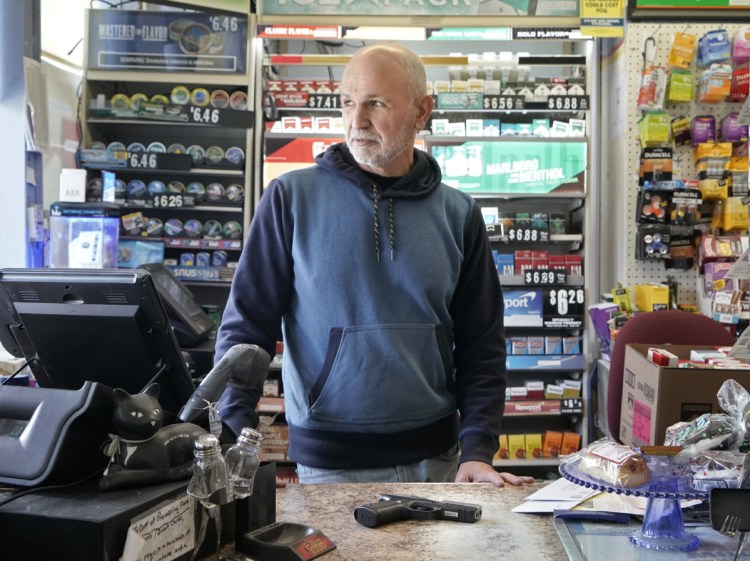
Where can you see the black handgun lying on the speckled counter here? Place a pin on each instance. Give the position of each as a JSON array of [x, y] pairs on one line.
[[392, 508]]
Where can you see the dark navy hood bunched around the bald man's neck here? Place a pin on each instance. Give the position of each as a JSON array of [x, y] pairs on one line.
[[423, 178]]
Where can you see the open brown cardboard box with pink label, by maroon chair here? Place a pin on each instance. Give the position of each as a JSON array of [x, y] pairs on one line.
[[656, 397]]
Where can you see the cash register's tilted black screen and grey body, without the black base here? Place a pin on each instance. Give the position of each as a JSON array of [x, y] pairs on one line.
[[83, 332]]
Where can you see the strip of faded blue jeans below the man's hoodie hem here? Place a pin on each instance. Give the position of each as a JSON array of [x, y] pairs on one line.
[[438, 469]]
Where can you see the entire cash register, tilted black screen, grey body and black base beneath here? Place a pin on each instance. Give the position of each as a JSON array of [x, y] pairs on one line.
[[84, 332]]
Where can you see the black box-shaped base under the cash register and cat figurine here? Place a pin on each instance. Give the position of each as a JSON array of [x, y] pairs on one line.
[[86, 524]]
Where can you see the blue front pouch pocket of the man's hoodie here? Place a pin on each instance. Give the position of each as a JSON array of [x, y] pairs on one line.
[[384, 375]]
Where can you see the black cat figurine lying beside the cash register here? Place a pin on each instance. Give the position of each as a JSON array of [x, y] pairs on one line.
[[144, 452]]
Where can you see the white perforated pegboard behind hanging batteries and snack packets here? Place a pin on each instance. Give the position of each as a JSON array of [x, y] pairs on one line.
[[639, 271]]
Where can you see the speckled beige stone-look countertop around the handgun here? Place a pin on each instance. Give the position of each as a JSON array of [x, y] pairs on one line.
[[499, 534]]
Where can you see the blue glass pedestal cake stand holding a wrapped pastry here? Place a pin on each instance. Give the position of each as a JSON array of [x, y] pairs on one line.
[[663, 526]]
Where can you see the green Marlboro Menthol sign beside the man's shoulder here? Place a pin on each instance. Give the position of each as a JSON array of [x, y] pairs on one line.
[[510, 167]]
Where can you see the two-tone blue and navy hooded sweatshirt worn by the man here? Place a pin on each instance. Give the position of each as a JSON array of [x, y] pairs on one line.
[[390, 308]]
